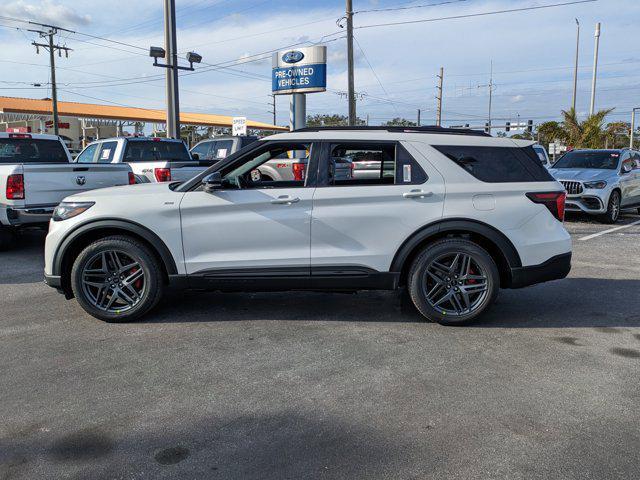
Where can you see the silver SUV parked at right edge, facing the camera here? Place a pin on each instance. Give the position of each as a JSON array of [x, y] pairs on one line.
[[600, 182]]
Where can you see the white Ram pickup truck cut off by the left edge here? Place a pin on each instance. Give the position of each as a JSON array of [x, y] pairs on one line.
[[36, 173]]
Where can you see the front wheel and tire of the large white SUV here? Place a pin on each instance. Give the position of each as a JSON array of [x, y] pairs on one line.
[[137, 287]]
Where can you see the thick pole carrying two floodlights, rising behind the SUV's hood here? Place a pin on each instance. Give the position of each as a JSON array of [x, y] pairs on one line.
[[170, 45]]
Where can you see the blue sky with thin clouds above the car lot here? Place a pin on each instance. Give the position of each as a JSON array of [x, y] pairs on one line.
[[531, 53]]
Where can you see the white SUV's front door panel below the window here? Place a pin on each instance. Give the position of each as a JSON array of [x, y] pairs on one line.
[[253, 228]]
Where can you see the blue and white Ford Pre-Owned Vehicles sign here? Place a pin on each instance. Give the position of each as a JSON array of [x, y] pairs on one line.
[[303, 70]]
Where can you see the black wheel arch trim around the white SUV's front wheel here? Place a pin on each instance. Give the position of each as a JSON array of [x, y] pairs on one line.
[[84, 234]]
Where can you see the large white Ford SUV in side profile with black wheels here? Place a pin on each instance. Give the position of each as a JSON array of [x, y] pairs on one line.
[[453, 216]]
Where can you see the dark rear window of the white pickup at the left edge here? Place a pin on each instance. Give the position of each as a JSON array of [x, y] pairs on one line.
[[27, 150]]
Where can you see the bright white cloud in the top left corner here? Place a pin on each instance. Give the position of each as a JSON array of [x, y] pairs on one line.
[[46, 11]]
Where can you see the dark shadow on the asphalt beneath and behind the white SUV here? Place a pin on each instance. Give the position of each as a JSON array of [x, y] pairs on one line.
[[571, 303]]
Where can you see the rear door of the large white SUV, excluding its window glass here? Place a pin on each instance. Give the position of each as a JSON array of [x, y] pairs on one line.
[[364, 225]]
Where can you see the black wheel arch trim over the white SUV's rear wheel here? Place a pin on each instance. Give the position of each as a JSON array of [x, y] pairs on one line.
[[495, 242]]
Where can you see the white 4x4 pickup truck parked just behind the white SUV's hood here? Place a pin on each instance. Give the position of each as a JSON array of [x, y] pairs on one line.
[[152, 159]]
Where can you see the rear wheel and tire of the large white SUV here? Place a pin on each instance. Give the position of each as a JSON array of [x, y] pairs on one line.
[[478, 278]]
